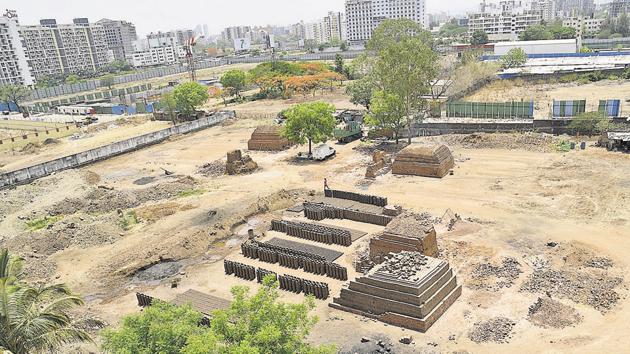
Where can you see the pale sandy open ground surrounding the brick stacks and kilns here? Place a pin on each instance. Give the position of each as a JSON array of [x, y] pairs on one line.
[[513, 203]]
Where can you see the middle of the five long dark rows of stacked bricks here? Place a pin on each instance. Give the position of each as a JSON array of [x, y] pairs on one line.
[[317, 233]]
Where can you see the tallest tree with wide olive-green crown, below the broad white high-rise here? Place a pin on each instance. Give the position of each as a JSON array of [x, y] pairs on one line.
[[405, 64]]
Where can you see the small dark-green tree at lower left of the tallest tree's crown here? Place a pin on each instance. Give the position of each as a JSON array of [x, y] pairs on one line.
[[387, 113]]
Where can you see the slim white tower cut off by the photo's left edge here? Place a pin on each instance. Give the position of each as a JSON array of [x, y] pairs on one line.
[[14, 69]]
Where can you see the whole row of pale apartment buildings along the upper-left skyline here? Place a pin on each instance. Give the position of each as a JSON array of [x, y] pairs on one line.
[[51, 49]]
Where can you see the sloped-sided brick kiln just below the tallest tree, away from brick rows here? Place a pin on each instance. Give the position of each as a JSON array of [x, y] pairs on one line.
[[426, 161]]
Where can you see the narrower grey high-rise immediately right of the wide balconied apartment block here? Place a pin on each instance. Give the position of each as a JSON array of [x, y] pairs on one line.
[[120, 36]]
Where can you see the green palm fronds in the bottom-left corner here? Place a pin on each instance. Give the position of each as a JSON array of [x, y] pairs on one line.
[[34, 319]]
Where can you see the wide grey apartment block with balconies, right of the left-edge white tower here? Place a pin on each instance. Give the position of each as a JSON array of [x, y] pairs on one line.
[[55, 49]]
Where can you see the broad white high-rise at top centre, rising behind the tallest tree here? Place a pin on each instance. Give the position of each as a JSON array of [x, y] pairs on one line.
[[363, 16]]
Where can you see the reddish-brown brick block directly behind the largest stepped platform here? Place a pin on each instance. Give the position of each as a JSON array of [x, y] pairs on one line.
[[407, 232]]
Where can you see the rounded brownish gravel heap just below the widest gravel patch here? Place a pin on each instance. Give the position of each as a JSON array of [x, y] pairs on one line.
[[549, 313]]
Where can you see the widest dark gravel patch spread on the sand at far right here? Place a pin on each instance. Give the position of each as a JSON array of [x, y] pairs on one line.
[[597, 291]]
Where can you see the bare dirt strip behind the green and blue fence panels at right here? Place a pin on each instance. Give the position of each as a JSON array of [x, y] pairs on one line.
[[543, 94]]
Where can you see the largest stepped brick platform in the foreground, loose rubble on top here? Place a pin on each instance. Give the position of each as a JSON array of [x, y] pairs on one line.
[[408, 290]]
